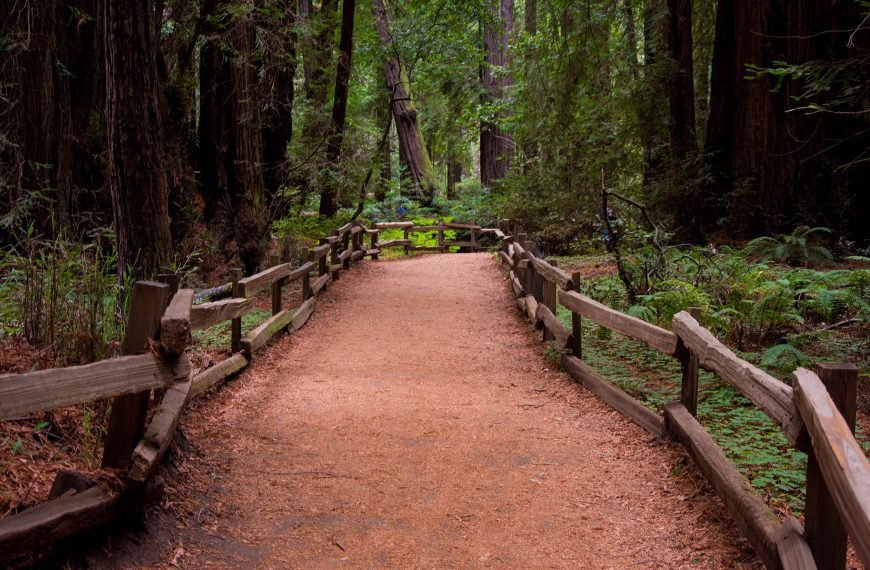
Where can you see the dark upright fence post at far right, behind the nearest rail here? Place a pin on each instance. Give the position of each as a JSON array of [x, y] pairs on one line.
[[823, 528]]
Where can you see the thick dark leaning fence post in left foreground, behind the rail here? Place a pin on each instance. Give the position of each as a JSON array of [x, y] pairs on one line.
[[127, 422]]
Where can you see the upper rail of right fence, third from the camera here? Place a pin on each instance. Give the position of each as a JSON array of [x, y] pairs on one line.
[[633, 327]]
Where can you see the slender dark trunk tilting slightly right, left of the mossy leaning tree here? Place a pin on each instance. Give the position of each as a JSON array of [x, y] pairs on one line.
[[329, 195]]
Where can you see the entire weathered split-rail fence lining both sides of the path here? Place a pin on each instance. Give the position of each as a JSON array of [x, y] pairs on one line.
[[817, 414]]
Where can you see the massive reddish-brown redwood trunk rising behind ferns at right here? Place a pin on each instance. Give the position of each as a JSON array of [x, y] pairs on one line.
[[746, 140]]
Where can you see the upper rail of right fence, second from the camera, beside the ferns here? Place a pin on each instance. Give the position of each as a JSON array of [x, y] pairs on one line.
[[769, 394]]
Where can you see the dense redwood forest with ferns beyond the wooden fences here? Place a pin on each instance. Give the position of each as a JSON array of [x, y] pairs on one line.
[[678, 152]]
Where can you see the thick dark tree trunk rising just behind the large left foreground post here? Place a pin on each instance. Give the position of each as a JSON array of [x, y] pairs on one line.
[[137, 174]]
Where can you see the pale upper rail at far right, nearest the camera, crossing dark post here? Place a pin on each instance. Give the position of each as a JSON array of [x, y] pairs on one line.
[[845, 468]]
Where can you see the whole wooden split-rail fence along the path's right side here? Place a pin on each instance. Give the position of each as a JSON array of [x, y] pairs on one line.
[[817, 415]]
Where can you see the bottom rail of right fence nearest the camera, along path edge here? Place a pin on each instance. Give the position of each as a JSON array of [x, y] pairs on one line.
[[758, 523]]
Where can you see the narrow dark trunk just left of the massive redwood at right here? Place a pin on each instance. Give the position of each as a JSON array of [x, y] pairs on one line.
[[682, 89]]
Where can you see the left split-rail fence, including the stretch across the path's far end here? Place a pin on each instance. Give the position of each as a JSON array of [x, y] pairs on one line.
[[153, 360]]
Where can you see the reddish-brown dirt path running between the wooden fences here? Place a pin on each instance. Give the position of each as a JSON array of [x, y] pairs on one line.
[[414, 422]]
